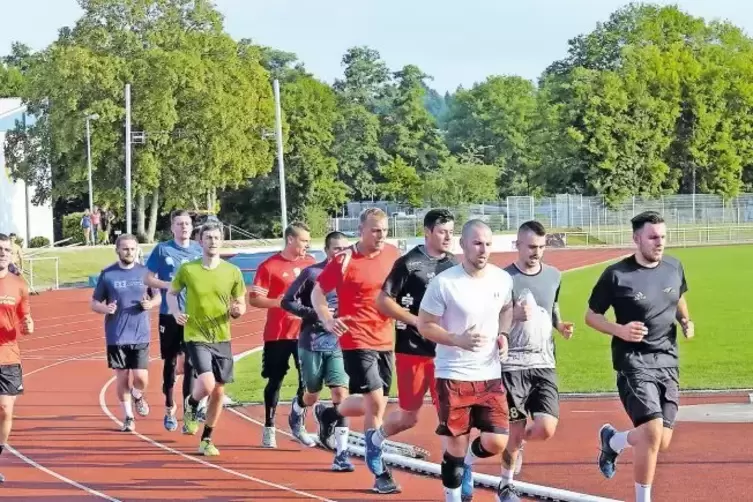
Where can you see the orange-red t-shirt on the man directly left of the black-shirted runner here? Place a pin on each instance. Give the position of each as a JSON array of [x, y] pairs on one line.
[[358, 280]]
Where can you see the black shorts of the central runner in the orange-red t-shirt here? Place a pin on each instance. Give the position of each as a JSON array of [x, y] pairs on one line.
[[368, 370]]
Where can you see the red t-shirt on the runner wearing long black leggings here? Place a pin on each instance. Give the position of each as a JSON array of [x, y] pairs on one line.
[[272, 279]]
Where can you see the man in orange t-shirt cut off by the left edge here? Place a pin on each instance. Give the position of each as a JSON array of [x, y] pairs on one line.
[[15, 318]]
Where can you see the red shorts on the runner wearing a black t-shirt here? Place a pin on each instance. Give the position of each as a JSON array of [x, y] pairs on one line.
[[415, 375]]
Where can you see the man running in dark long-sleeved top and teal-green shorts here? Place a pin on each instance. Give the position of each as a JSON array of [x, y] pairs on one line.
[[321, 360]]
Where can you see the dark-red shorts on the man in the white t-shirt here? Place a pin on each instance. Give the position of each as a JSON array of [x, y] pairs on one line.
[[462, 406]]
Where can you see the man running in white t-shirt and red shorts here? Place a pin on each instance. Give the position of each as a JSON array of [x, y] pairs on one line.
[[467, 311]]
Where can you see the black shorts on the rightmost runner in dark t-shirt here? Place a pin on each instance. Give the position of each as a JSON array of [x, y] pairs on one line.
[[650, 393]]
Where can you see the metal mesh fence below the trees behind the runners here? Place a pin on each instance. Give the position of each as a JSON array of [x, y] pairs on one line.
[[564, 211]]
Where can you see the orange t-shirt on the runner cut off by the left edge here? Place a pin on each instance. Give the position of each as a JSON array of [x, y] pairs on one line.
[[14, 306]]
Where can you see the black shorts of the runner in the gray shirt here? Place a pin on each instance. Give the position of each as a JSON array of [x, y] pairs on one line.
[[530, 392]]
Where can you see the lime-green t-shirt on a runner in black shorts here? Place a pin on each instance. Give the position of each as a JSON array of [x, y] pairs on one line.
[[209, 294]]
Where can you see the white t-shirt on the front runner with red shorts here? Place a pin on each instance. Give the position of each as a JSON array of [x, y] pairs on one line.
[[460, 301]]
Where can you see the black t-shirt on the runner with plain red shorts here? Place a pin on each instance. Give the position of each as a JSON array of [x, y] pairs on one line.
[[406, 284]]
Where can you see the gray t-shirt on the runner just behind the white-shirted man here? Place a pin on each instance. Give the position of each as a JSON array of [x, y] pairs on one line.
[[531, 344]]
